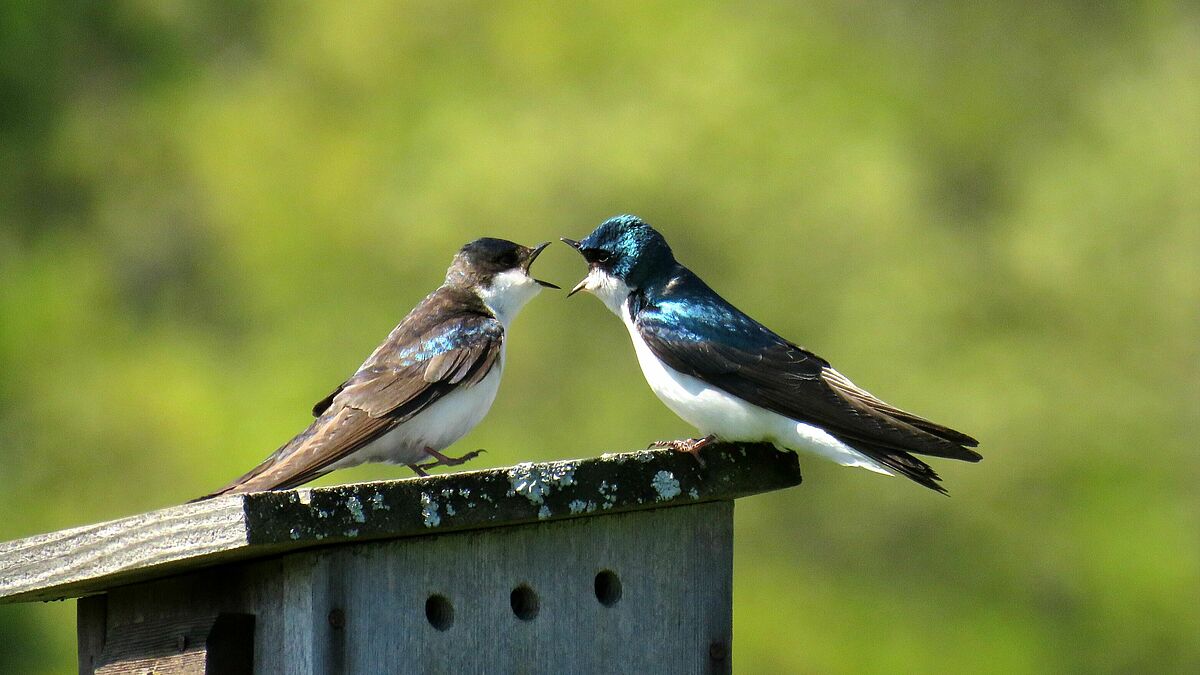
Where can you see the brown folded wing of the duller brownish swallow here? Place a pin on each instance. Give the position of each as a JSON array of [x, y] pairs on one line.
[[421, 363]]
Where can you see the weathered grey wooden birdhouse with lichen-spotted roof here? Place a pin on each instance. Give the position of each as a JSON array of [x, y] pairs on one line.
[[610, 565]]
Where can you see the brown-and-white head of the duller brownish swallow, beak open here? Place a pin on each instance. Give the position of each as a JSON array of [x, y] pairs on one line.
[[499, 272]]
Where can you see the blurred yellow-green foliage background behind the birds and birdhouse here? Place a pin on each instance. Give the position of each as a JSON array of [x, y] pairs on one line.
[[212, 213]]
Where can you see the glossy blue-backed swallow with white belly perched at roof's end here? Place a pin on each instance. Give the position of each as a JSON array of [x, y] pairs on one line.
[[735, 380]]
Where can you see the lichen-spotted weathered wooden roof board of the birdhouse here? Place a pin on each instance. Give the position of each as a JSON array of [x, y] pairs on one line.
[[92, 559]]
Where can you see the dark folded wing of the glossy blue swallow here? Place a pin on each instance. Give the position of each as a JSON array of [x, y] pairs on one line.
[[754, 365]]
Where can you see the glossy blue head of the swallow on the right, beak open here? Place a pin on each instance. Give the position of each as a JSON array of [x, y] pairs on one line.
[[623, 254]]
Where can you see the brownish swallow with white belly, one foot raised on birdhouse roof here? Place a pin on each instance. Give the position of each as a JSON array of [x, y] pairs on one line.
[[431, 383]]
